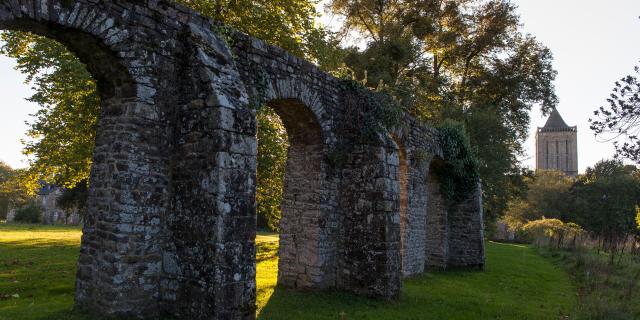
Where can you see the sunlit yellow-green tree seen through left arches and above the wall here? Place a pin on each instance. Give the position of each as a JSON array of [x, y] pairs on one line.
[[62, 134]]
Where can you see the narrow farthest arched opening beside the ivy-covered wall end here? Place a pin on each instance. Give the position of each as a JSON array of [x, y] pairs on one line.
[[436, 245]]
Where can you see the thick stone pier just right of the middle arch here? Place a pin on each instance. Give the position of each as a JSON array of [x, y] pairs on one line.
[[370, 252]]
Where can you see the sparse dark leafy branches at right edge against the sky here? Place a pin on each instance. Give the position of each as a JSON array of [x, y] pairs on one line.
[[621, 119]]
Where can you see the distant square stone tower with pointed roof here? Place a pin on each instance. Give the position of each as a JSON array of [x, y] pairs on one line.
[[557, 146]]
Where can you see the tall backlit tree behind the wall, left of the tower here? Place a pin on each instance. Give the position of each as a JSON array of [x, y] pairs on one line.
[[459, 59]]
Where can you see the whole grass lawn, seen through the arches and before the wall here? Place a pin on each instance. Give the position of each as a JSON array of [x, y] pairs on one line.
[[37, 271]]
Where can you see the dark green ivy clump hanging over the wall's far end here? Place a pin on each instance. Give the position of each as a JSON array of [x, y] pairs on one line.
[[458, 175]]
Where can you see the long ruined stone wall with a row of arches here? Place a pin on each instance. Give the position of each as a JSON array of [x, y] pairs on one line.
[[171, 221]]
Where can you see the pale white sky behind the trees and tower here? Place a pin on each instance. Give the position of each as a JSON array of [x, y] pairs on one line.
[[594, 43]]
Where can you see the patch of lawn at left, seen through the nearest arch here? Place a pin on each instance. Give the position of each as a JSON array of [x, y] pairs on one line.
[[37, 270]]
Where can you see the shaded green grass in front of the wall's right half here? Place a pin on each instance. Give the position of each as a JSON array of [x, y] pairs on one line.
[[516, 284]]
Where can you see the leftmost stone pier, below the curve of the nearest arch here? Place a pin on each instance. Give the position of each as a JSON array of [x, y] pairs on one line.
[[120, 256]]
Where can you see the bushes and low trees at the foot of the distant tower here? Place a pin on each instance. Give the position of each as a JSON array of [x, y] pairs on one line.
[[603, 201]]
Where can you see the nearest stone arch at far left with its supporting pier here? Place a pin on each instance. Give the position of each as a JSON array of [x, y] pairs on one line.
[[119, 255]]
